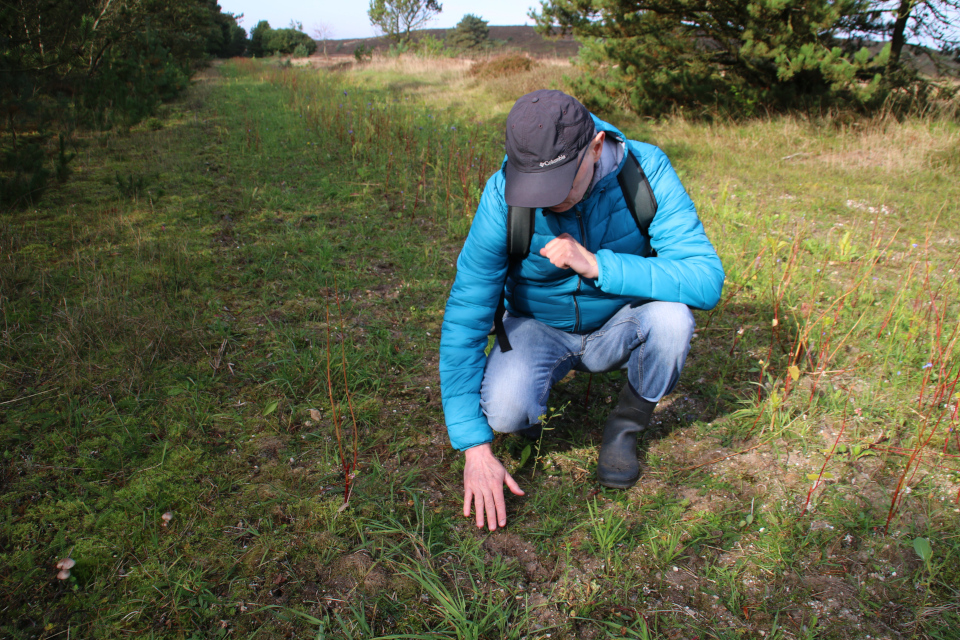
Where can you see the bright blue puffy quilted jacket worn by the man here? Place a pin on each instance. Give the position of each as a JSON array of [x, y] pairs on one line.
[[686, 269]]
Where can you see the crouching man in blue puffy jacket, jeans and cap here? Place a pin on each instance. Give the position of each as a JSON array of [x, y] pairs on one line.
[[617, 257]]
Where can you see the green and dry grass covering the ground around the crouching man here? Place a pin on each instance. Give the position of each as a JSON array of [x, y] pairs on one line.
[[165, 347]]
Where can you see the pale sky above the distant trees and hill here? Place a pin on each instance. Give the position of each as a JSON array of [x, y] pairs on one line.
[[348, 18]]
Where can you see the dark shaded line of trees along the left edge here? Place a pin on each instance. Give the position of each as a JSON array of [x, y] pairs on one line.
[[99, 64]]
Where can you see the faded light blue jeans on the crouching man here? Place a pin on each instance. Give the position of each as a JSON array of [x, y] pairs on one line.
[[650, 340]]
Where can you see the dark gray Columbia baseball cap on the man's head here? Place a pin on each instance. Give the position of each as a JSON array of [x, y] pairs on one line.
[[546, 131]]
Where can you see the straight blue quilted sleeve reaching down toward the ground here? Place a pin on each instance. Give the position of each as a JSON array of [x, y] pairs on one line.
[[481, 270]]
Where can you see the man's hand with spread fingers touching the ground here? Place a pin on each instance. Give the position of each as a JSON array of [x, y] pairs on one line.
[[483, 480]]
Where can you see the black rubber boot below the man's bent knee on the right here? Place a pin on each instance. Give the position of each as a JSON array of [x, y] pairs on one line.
[[618, 467]]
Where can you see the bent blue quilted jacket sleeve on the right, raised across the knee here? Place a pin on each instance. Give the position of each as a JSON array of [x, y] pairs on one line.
[[686, 268]]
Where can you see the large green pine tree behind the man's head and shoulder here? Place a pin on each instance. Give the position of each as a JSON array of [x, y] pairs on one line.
[[737, 56]]
